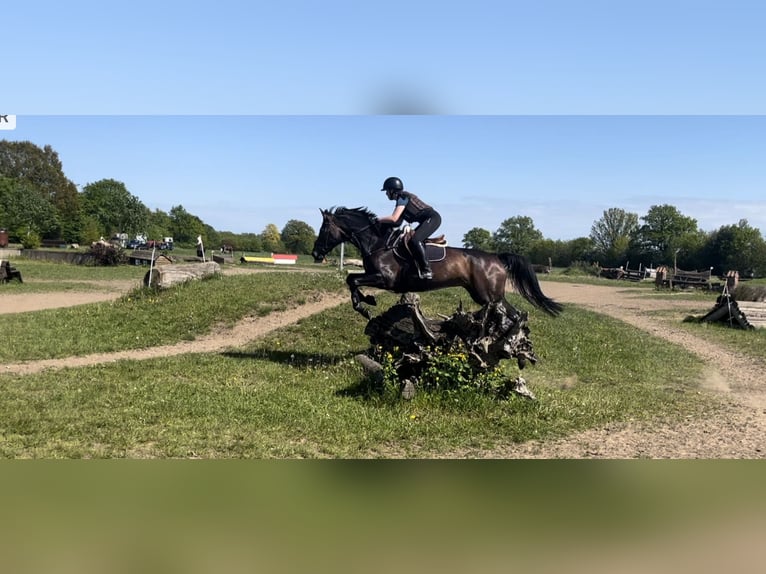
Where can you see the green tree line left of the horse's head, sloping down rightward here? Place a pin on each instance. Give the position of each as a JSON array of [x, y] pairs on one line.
[[38, 203]]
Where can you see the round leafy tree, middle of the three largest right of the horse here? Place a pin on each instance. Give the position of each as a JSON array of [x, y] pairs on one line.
[[663, 233]]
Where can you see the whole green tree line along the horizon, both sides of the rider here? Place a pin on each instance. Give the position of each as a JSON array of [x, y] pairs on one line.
[[38, 202]]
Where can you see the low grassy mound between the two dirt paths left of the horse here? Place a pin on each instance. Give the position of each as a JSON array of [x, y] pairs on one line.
[[147, 317]]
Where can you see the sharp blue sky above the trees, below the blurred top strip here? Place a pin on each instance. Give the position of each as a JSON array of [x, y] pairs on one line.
[[239, 173]]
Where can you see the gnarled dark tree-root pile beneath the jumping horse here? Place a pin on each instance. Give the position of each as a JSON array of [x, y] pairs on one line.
[[495, 332]]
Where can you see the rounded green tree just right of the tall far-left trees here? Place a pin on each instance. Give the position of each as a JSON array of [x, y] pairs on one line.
[[114, 208]]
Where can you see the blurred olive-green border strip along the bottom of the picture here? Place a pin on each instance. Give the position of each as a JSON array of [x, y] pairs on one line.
[[380, 516]]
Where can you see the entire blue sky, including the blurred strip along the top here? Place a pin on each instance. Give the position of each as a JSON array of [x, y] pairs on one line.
[[250, 113]]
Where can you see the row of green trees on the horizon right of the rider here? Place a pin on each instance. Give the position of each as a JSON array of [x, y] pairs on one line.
[[662, 236]]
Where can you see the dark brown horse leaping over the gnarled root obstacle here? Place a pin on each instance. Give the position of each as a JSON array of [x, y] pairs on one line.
[[482, 274]]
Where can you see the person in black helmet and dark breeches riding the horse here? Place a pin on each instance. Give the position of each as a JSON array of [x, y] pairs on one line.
[[413, 210]]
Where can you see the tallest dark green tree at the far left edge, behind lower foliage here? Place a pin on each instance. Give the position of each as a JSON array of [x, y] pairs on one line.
[[42, 170]]
